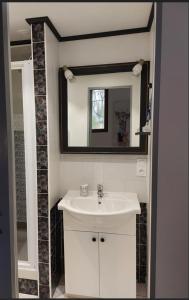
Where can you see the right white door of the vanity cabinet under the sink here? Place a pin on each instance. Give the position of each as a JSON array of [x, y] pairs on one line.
[[117, 254]]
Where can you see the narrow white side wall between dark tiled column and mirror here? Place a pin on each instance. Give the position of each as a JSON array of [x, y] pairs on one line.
[[52, 115]]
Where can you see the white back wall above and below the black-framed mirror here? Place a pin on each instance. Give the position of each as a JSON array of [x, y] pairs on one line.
[[116, 172]]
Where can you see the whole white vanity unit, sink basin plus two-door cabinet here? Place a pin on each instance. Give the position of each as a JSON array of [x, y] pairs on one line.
[[100, 244]]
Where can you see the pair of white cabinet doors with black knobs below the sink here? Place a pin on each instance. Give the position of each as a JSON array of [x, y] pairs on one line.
[[100, 264]]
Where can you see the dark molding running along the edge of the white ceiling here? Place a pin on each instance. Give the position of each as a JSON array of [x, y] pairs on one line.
[[85, 36]]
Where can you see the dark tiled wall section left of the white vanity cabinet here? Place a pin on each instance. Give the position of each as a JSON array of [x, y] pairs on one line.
[[57, 249]]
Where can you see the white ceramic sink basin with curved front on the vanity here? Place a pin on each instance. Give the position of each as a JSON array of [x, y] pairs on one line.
[[113, 207]]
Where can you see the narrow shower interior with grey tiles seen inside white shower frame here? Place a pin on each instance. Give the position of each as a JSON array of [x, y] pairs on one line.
[[19, 145]]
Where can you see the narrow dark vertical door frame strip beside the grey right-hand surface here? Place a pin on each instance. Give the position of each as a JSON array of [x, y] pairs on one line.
[[154, 160]]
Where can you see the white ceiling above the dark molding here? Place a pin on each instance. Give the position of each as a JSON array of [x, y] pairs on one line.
[[78, 18]]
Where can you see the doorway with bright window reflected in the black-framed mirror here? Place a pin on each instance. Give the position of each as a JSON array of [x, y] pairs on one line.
[[111, 117]]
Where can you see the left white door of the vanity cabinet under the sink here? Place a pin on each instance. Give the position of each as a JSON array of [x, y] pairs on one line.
[[81, 263]]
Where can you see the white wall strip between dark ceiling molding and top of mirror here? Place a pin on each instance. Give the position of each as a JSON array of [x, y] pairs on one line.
[[116, 49]]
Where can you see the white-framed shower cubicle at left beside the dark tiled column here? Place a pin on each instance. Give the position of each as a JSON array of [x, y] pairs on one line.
[[24, 135]]
